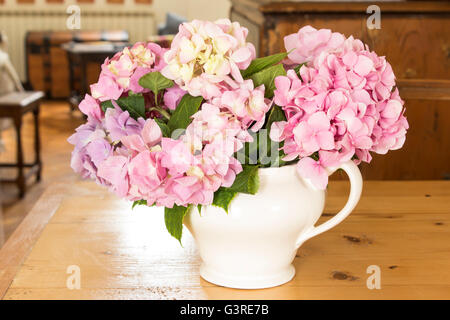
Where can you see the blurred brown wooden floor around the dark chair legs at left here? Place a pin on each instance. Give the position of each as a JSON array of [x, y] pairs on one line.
[[57, 124]]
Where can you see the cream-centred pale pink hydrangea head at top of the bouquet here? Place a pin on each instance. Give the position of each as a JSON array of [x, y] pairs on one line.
[[205, 56]]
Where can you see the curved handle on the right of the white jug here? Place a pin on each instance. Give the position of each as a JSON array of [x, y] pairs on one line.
[[355, 193]]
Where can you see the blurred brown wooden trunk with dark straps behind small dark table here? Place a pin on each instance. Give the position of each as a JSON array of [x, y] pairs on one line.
[[47, 63]]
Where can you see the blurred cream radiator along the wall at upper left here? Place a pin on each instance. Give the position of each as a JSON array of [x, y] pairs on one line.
[[139, 23]]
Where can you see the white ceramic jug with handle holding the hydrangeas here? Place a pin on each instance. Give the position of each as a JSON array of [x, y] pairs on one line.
[[253, 246]]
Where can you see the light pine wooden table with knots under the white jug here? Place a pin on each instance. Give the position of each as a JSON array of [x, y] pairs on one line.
[[402, 227]]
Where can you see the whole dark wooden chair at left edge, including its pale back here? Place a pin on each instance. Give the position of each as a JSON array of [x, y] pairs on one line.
[[14, 104]]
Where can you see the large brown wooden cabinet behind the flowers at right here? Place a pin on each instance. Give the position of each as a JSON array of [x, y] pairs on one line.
[[415, 38]]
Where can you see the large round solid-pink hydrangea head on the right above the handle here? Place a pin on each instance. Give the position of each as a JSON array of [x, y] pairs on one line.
[[342, 106]]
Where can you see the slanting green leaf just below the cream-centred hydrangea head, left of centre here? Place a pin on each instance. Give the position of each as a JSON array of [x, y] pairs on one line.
[[181, 117]]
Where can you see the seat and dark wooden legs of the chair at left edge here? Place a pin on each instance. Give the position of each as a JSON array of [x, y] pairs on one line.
[[15, 105]]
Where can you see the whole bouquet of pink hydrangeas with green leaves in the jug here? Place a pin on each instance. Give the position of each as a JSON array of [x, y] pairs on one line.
[[191, 125]]
